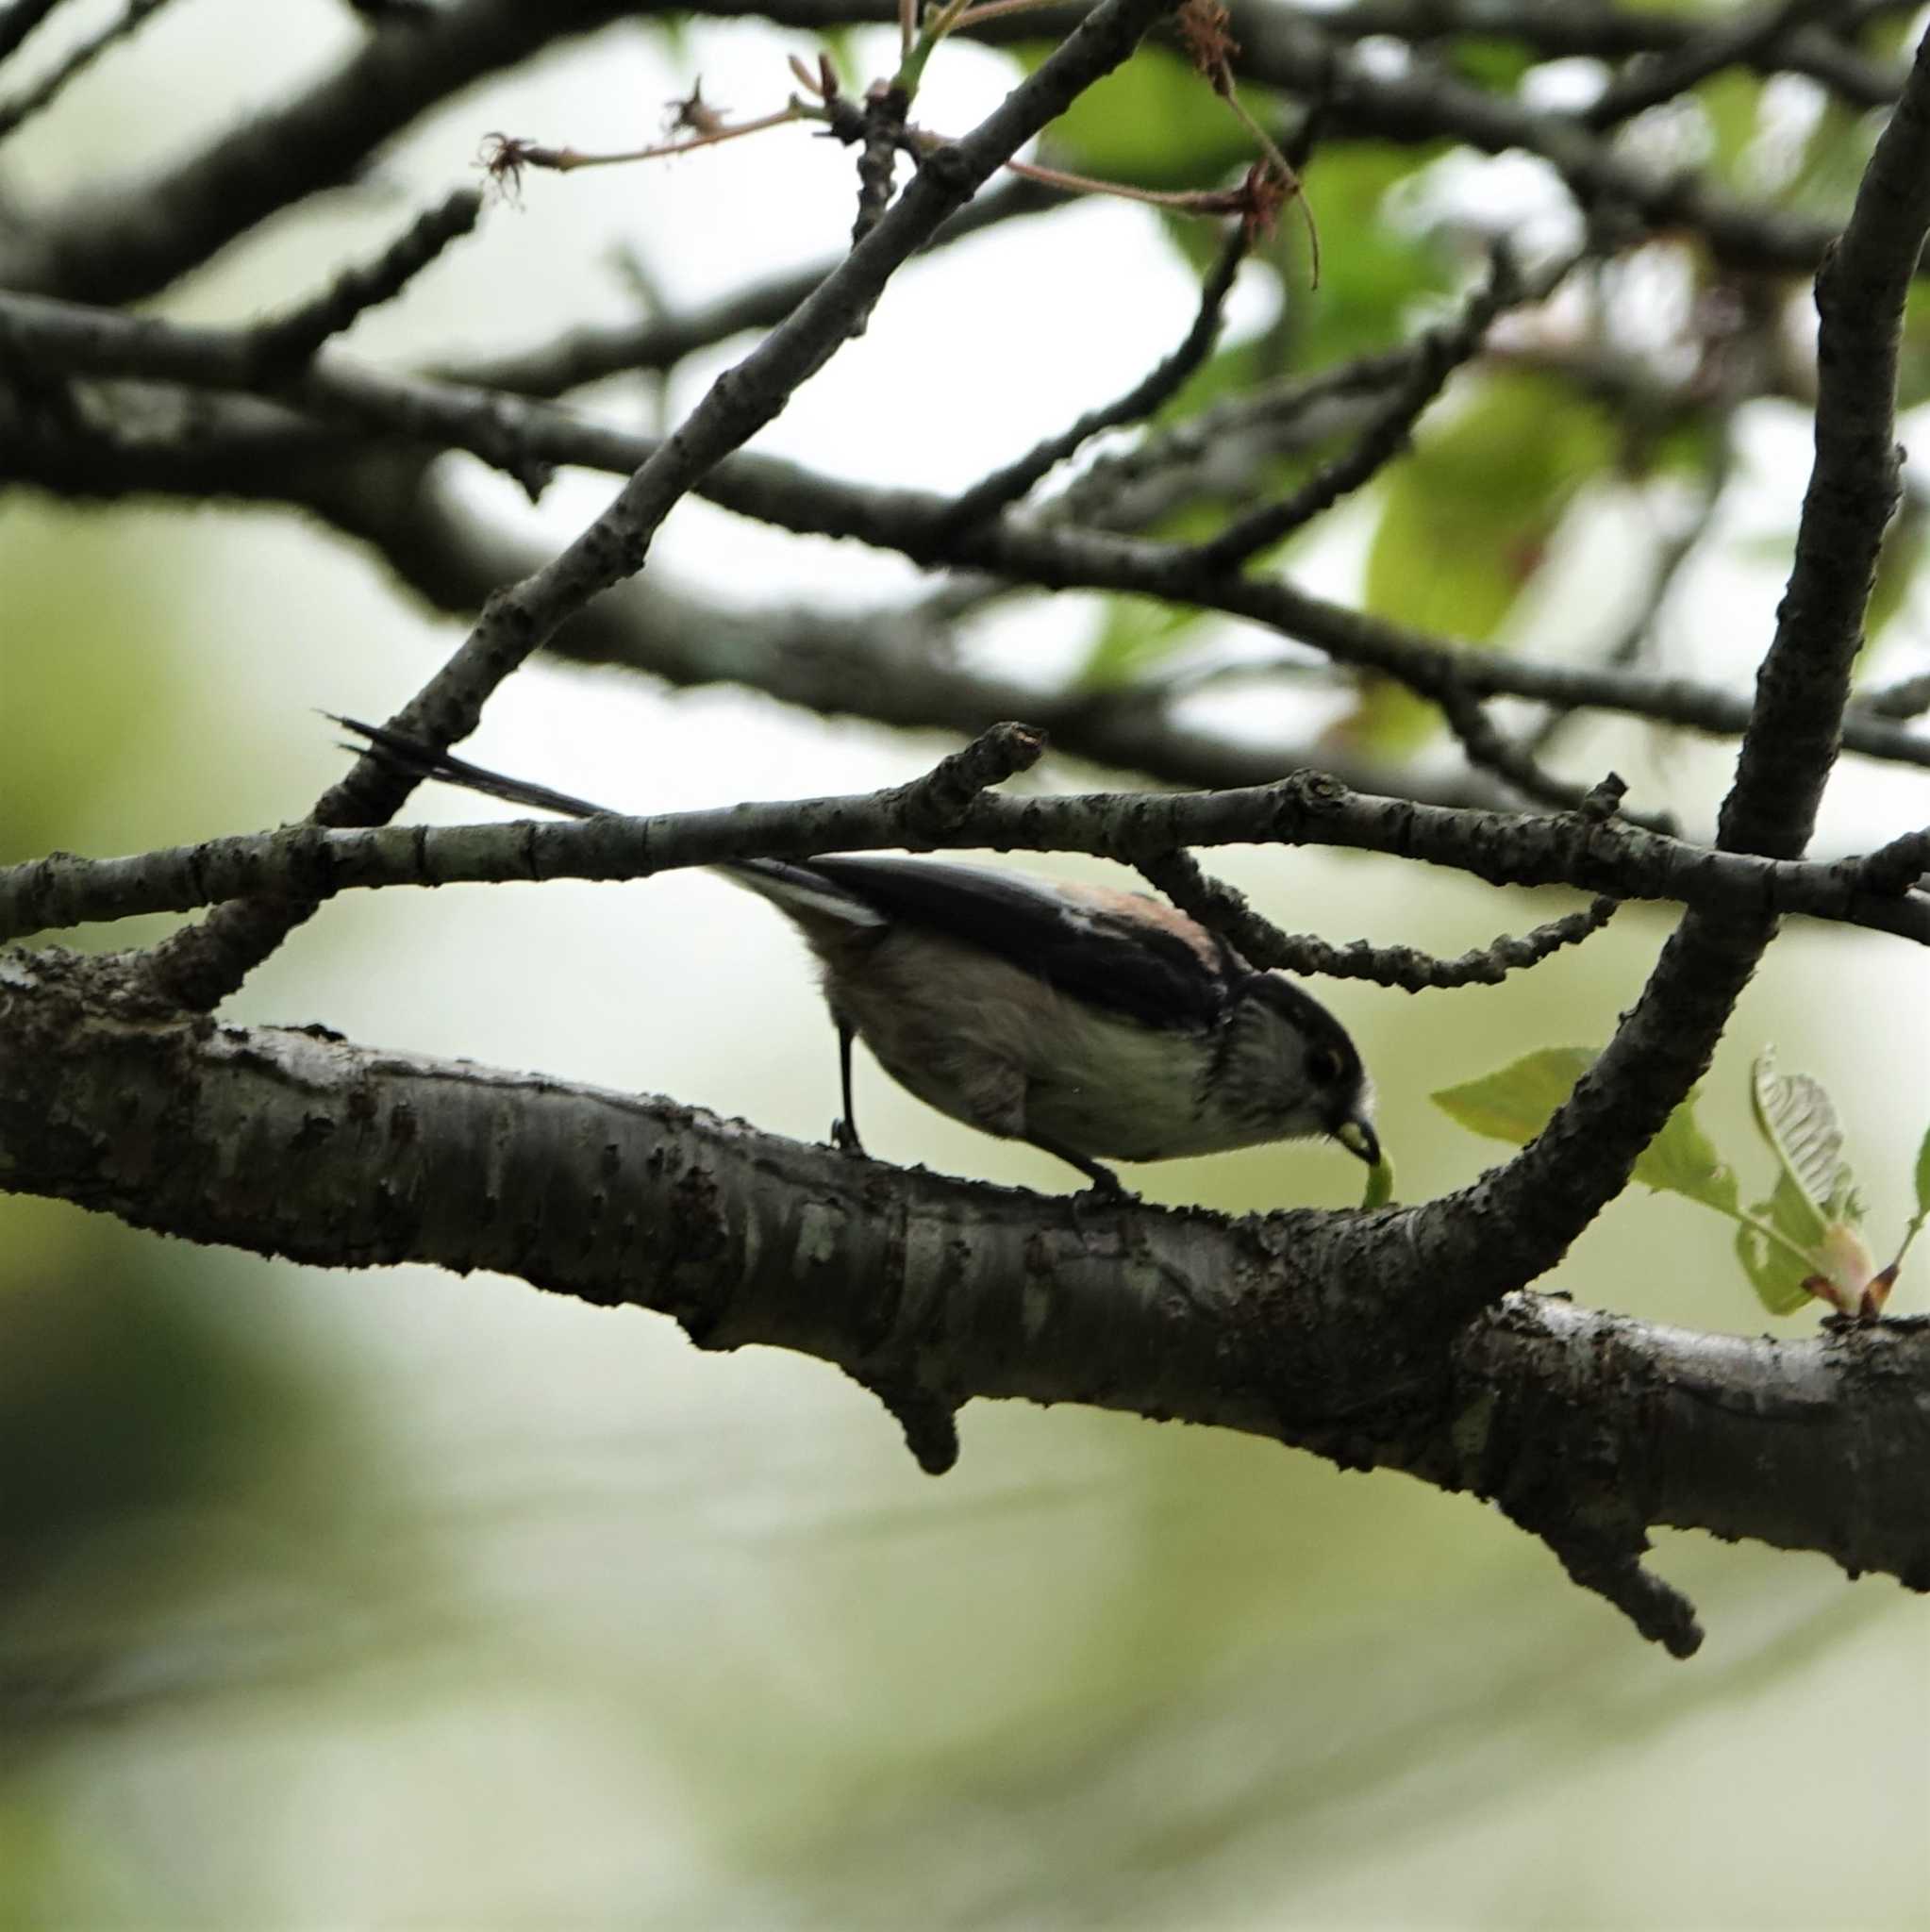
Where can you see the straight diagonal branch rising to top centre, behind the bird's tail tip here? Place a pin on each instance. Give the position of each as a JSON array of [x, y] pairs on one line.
[[204, 965]]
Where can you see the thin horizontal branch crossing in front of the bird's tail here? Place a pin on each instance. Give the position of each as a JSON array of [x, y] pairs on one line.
[[1581, 849]]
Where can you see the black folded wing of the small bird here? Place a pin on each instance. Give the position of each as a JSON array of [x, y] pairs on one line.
[[1150, 965]]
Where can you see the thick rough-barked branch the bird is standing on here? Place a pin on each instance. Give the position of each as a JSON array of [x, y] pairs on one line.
[[1305, 1328]]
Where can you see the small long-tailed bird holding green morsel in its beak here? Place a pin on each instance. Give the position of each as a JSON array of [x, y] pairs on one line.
[[1079, 1019]]
